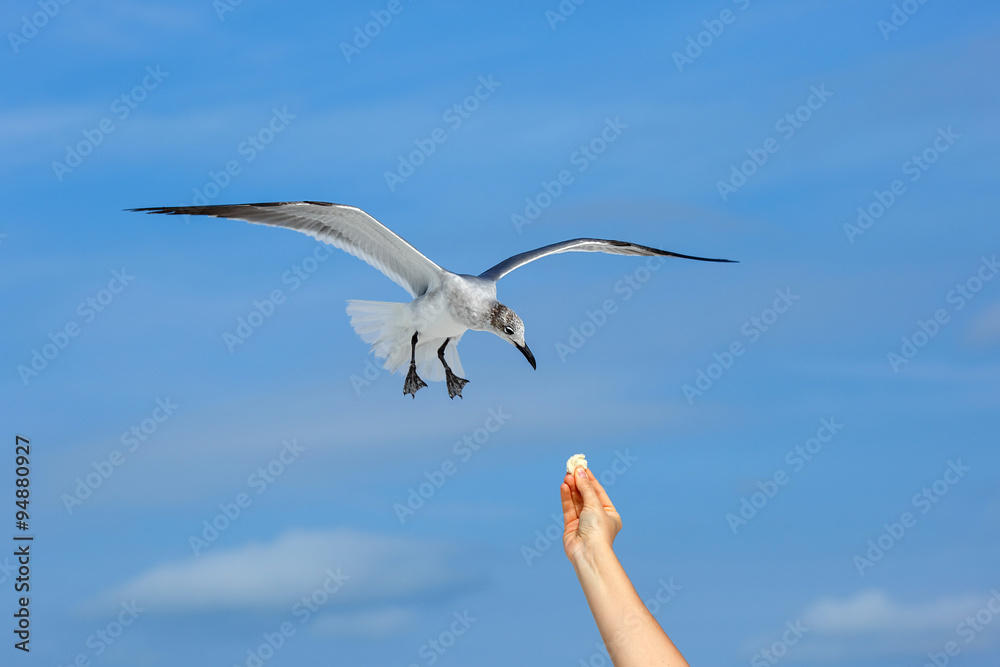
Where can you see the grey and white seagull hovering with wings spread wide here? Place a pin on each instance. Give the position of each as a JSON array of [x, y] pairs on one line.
[[445, 305]]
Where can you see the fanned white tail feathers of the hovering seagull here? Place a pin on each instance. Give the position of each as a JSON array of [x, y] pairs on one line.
[[388, 327]]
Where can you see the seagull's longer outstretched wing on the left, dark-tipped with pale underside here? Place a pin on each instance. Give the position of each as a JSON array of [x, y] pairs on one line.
[[345, 227]]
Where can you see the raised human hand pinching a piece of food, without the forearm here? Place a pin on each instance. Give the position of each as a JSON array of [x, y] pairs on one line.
[[591, 521]]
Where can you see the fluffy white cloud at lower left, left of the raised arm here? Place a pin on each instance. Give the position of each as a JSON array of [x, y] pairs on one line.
[[273, 576]]
